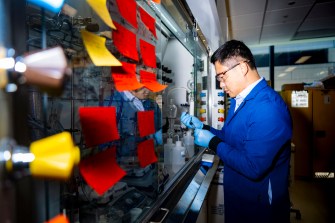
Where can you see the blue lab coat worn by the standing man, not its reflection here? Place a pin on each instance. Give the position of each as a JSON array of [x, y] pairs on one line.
[[256, 155]]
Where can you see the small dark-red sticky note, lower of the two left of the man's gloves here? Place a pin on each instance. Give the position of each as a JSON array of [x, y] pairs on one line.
[[146, 153]]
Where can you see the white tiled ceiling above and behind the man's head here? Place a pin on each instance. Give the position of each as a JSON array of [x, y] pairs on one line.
[[258, 22]]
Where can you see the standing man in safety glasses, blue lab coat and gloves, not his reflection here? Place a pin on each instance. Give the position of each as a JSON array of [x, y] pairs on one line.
[[254, 143]]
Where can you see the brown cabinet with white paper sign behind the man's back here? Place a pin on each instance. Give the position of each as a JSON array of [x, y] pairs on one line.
[[313, 131]]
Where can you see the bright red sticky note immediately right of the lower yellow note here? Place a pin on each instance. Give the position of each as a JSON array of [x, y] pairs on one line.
[[125, 41]]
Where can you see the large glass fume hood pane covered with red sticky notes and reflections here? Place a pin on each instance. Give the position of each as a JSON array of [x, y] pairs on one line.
[[153, 147]]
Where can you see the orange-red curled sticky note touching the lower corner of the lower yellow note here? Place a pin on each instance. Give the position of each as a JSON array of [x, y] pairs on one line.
[[125, 77]]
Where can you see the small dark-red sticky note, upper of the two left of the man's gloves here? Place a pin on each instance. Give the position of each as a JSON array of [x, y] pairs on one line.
[[145, 123]]
